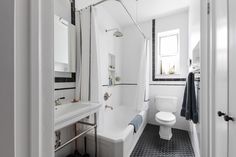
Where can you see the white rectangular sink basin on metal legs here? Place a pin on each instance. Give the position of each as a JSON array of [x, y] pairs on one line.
[[68, 114]]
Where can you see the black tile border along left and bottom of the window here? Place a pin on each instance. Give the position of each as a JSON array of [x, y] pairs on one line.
[[163, 78]]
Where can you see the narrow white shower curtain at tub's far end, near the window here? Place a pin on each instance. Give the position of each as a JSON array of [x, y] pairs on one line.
[[143, 78]]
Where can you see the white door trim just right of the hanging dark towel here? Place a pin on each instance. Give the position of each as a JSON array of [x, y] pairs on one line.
[[205, 81]]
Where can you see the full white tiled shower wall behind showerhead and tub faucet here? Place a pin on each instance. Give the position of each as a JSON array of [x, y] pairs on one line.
[[108, 44]]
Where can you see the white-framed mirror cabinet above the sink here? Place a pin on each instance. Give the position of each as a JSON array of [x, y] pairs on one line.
[[64, 45]]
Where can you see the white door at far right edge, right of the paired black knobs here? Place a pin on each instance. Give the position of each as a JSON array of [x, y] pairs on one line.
[[232, 77]]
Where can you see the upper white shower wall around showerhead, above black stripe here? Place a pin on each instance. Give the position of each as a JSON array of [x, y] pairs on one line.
[[108, 43]]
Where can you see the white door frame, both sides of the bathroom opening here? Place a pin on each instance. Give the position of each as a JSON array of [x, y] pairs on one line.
[[42, 79]]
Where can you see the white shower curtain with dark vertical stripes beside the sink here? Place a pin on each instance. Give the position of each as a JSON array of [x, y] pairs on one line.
[[88, 71]]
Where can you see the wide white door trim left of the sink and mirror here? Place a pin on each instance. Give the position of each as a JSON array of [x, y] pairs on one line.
[[42, 78]]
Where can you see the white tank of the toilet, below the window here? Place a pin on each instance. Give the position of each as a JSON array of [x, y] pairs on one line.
[[167, 104]]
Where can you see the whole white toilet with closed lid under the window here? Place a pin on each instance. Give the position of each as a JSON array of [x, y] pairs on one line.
[[166, 106]]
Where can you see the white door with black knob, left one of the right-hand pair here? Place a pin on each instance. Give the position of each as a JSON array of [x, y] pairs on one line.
[[220, 99]]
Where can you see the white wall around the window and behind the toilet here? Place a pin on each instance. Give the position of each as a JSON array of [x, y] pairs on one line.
[[177, 20]]
